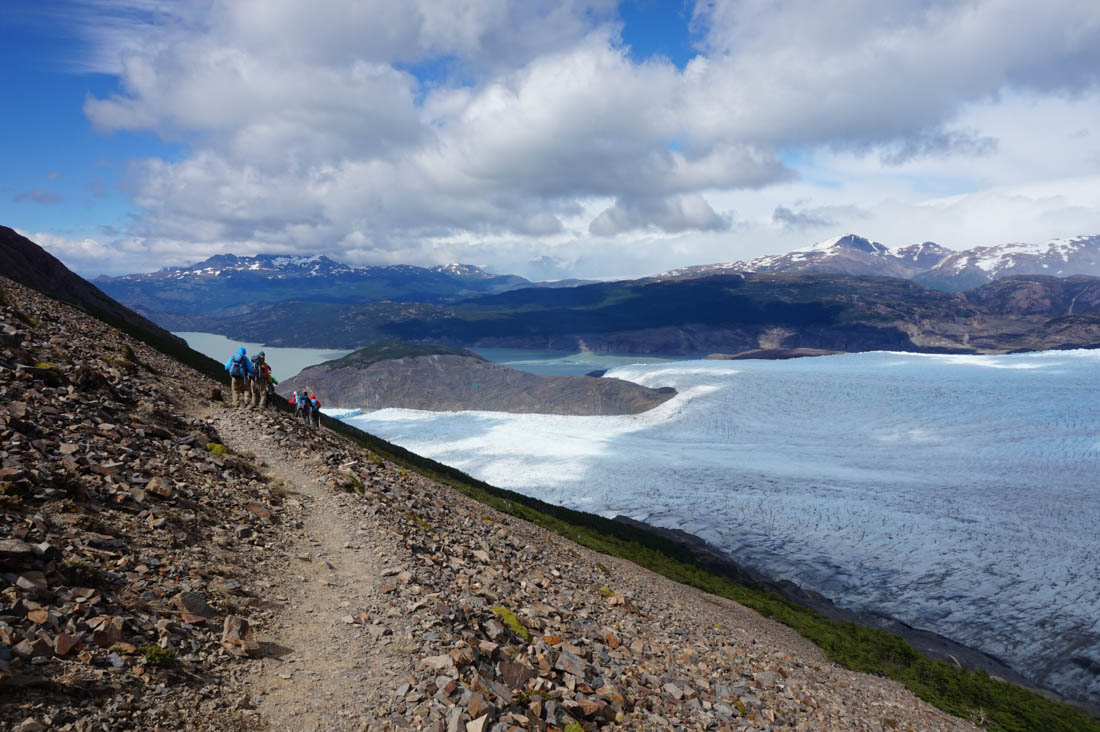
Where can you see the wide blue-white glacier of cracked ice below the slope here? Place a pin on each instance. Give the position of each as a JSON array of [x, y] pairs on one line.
[[961, 495]]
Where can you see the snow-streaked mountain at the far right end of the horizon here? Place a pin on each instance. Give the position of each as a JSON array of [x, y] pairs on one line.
[[976, 267]]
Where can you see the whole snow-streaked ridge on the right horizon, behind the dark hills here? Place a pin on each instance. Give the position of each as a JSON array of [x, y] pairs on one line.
[[928, 264]]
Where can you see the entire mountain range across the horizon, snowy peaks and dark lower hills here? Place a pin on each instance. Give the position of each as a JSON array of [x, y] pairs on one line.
[[848, 294]]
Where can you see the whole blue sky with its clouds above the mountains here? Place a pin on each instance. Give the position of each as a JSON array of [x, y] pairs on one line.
[[577, 138]]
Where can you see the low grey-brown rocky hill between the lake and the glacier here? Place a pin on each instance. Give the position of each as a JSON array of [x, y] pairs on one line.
[[446, 383]]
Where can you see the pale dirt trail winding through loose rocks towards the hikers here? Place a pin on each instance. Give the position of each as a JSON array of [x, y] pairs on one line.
[[333, 659]]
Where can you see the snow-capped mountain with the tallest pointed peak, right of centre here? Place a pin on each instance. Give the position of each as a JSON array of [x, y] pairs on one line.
[[849, 255]]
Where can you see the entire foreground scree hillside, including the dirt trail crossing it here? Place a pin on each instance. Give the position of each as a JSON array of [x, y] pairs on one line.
[[168, 563]]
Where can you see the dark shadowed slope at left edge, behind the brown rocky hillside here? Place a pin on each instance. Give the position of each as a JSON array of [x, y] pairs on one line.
[[26, 263]]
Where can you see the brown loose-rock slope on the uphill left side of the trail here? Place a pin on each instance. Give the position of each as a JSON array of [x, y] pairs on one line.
[[128, 536]]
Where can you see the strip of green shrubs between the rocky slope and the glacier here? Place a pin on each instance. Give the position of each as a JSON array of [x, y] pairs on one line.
[[971, 695]]
